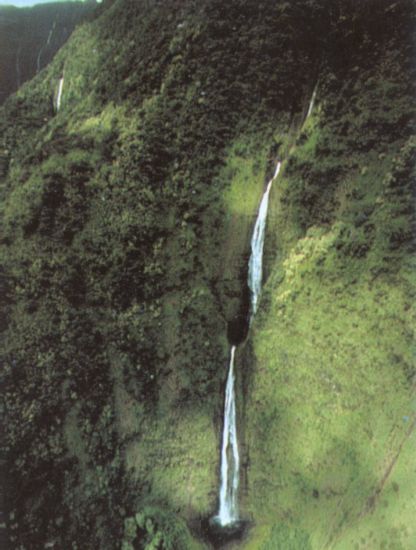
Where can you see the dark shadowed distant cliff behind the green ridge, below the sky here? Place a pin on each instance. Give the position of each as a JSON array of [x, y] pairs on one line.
[[30, 37]]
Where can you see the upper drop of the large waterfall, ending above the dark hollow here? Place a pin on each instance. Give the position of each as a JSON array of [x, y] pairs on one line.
[[255, 264]]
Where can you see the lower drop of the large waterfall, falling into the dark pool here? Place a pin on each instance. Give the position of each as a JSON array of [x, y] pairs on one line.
[[230, 460]]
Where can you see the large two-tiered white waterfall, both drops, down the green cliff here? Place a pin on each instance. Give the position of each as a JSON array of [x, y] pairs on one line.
[[230, 459]]
